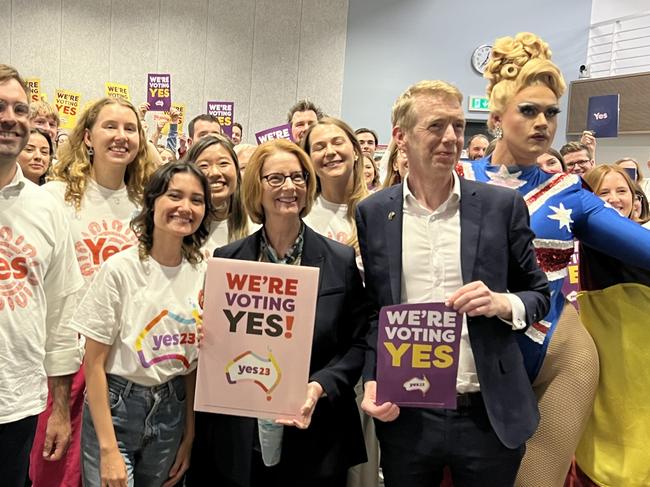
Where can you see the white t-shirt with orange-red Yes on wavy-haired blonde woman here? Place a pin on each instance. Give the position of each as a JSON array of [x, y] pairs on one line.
[[100, 228]]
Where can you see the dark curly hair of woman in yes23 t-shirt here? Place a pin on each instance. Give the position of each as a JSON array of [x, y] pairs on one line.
[[143, 223]]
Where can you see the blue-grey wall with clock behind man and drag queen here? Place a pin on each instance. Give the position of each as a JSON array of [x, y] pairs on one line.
[[391, 45]]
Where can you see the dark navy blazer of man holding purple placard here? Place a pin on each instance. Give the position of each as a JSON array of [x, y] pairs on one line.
[[496, 248]]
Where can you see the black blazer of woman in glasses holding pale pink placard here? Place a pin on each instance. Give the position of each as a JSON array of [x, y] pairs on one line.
[[334, 440]]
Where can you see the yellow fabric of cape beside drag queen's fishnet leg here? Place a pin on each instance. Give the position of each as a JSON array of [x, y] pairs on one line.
[[615, 448]]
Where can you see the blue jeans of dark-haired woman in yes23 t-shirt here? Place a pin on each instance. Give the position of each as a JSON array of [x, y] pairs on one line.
[[149, 424]]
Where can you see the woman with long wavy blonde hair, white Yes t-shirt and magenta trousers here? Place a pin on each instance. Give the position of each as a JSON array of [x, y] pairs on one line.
[[99, 181]]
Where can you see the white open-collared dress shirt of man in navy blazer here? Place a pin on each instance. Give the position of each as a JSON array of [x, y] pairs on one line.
[[431, 268]]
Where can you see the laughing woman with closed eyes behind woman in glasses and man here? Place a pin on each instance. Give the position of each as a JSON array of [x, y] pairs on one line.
[[338, 161]]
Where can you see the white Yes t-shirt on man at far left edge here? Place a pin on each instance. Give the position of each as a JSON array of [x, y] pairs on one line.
[[38, 271]]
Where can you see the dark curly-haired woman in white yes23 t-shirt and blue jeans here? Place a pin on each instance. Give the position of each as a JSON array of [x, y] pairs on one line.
[[140, 318]]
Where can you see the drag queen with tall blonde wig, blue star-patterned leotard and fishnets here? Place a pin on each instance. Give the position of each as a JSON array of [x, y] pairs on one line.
[[560, 356]]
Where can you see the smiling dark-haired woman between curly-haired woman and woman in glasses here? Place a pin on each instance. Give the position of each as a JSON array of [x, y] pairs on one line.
[[215, 156]]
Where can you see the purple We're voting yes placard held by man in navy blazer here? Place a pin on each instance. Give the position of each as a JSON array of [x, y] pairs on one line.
[[417, 355]]
